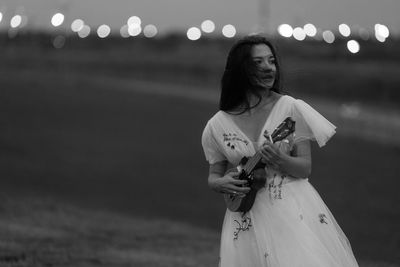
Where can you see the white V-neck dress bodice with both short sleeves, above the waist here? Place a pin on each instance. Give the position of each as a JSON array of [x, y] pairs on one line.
[[223, 140]]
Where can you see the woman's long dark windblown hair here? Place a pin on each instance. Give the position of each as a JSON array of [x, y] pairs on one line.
[[236, 82]]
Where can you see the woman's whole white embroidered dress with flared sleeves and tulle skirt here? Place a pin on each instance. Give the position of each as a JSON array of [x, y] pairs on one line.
[[289, 225]]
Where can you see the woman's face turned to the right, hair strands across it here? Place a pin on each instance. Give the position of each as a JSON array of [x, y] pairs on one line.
[[264, 61]]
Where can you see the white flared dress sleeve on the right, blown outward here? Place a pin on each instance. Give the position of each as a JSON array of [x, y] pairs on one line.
[[311, 125]]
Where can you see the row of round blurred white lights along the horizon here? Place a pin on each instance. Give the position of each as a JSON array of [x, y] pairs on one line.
[[134, 27]]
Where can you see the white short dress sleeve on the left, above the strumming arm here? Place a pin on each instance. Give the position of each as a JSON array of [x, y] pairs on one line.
[[210, 146]]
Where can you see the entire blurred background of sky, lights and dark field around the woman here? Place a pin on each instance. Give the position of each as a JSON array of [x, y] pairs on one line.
[[102, 107]]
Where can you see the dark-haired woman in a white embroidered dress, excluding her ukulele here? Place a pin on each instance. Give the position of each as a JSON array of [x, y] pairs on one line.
[[288, 224]]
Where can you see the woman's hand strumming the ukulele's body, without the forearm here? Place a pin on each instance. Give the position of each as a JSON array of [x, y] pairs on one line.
[[230, 184]]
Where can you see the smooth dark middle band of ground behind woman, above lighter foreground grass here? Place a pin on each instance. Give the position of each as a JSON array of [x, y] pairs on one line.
[[95, 147]]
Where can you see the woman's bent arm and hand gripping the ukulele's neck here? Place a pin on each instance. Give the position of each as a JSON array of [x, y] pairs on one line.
[[297, 164]]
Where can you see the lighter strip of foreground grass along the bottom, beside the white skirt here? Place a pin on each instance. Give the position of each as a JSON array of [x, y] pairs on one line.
[[38, 232]]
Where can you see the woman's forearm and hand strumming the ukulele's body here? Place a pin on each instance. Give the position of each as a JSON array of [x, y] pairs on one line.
[[225, 183]]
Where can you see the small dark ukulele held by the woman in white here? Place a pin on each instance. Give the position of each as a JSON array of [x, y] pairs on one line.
[[253, 170]]
